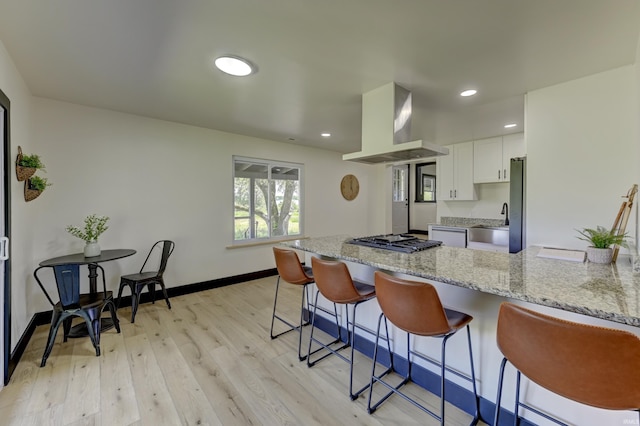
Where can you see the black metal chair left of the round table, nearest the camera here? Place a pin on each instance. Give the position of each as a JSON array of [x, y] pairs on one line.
[[88, 306]]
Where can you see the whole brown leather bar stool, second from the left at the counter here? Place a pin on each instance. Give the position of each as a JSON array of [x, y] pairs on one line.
[[336, 285]]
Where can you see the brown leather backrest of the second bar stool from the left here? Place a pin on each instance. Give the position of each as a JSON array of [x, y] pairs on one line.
[[334, 281]]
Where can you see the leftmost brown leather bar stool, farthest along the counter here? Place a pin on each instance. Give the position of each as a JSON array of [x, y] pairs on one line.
[[291, 270]]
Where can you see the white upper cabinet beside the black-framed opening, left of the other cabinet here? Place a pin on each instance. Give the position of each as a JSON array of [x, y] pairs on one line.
[[455, 173]]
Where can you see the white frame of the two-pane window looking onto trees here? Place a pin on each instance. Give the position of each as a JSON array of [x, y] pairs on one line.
[[270, 164]]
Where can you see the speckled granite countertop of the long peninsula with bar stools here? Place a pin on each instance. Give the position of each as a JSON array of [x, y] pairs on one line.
[[610, 292]]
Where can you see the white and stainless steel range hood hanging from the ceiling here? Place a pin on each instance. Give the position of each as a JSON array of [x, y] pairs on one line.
[[386, 129]]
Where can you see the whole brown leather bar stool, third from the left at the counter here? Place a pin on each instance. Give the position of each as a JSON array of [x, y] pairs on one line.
[[415, 307]]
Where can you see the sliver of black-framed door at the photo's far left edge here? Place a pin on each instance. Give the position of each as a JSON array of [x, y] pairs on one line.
[[5, 282]]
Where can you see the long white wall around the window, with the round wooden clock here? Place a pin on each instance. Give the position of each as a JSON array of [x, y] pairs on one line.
[[158, 180]]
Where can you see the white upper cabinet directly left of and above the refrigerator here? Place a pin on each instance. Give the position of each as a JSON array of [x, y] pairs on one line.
[[492, 157]]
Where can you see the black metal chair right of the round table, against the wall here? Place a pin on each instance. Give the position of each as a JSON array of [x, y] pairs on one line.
[[150, 279]]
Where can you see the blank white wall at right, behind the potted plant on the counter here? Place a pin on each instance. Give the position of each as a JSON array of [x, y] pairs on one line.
[[582, 155]]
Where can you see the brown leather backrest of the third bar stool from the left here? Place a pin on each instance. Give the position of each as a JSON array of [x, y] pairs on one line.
[[413, 306]]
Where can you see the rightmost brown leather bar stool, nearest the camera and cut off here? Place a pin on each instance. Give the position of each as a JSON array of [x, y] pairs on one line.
[[592, 365]]
